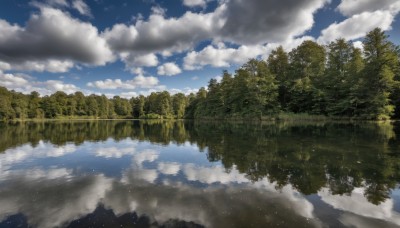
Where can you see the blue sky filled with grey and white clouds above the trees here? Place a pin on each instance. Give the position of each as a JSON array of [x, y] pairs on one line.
[[133, 47]]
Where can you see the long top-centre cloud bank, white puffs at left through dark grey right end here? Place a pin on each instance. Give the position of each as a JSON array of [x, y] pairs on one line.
[[244, 22]]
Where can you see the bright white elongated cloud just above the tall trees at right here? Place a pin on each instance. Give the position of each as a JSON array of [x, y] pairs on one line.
[[357, 26]]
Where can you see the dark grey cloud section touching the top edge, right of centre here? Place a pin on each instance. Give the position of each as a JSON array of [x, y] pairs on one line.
[[262, 21]]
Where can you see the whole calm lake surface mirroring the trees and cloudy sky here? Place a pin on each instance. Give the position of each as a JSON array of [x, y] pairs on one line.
[[189, 174]]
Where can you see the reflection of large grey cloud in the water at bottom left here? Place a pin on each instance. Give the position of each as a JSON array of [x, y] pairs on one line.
[[80, 197]]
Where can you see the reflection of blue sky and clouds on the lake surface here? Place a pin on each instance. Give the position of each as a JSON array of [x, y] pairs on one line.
[[54, 185]]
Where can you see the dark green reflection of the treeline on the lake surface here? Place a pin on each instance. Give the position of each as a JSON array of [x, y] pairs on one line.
[[308, 156]]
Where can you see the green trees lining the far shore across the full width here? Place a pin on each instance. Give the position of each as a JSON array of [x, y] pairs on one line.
[[335, 80]]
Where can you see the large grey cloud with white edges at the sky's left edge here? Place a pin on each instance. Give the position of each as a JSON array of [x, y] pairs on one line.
[[52, 39]]
